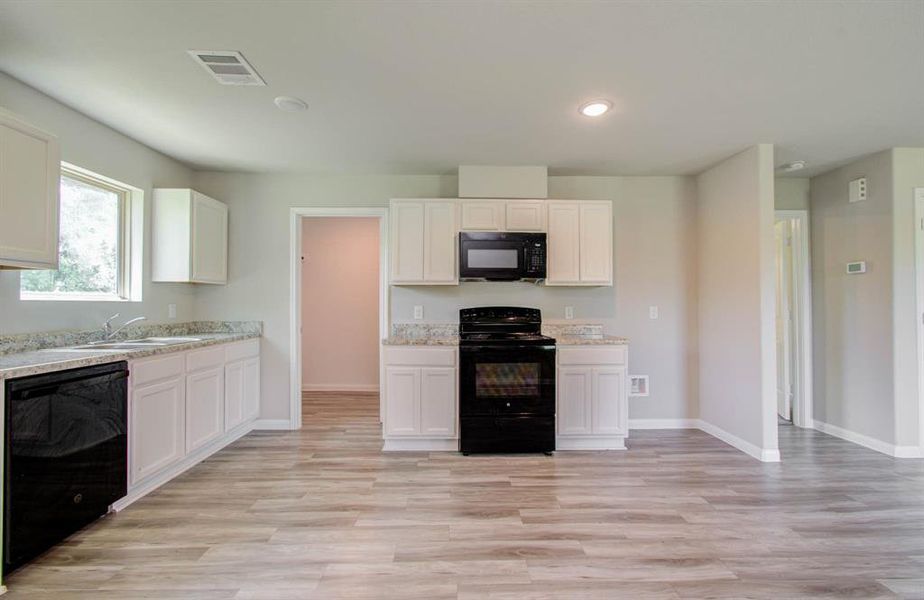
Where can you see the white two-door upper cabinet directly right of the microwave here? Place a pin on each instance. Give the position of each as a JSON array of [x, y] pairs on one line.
[[580, 243]]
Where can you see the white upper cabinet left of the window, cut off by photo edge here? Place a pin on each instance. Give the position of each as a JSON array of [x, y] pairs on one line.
[[30, 174]]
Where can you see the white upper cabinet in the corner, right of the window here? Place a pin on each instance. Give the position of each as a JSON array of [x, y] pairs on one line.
[[190, 237]]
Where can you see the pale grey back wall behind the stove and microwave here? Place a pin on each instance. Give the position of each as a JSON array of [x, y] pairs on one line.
[[655, 246]]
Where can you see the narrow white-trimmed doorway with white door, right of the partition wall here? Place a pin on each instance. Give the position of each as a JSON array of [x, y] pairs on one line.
[[793, 318]]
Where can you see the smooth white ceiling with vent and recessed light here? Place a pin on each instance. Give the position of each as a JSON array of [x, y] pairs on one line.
[[421, 87]]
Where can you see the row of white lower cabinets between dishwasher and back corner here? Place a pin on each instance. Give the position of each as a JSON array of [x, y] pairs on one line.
[[184, 406]]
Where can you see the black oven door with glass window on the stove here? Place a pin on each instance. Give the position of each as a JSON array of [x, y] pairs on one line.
[[507, 380]]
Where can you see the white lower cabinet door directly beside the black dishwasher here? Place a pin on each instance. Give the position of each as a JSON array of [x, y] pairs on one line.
[[157, 427]]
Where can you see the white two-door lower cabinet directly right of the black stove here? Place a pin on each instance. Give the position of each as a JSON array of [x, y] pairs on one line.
[[593, 400]]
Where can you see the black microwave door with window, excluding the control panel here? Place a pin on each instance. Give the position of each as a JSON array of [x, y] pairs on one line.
[[491, 259]]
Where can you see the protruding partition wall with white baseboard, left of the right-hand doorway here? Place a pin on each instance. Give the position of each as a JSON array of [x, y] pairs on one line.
[[737, 361]]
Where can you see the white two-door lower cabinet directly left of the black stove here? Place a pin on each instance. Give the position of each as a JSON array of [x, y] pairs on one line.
[[420, 398]]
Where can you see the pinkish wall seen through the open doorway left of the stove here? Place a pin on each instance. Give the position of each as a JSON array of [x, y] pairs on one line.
[[340, 303]]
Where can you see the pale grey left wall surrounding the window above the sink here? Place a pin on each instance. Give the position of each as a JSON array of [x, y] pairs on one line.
[[92, 145]]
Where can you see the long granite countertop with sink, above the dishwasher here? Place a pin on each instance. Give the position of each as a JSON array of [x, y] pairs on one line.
[[34, 362]]
